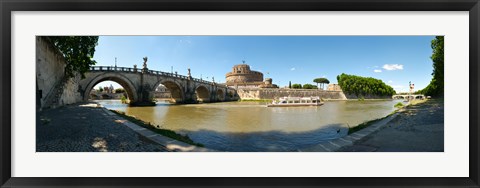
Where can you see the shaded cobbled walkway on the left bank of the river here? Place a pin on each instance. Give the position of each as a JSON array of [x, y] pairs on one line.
[[89, 127]]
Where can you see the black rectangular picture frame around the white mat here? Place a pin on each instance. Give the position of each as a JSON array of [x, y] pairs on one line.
[[7, 6]]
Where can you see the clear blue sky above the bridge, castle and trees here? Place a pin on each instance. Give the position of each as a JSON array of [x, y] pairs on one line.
[[394, 59]]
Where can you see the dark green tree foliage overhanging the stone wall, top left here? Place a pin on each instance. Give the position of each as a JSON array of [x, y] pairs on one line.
[[78, 52]]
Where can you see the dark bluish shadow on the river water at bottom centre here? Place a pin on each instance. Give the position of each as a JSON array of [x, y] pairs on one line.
[[268, 141]]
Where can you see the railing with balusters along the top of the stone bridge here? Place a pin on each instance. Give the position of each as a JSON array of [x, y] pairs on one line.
[[130, 70]]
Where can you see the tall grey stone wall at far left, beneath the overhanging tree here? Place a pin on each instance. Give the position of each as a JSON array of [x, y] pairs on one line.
[[50, 68]]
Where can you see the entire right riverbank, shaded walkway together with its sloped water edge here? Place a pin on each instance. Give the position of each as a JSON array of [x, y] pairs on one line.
[[417, 127]]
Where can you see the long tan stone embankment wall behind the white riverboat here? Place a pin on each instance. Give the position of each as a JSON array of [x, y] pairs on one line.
[[261, 93]]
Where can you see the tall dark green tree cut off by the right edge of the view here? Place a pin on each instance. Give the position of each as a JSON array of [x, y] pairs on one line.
[[435, 87]]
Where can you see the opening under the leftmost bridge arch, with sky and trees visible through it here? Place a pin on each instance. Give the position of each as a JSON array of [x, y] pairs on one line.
[[109, 90]]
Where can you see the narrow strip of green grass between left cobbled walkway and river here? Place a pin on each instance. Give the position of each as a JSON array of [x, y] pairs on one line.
[[164, 132]]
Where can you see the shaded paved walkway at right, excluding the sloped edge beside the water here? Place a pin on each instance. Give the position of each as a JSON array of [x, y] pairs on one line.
[[418, 127]]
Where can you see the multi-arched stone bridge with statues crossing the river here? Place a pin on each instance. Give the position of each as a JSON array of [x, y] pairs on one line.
[[140, 85]]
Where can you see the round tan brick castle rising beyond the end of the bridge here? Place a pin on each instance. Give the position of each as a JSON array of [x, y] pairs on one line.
[[243, 77]]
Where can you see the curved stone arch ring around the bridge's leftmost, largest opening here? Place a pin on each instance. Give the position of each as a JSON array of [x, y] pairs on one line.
[[122, 80]]
